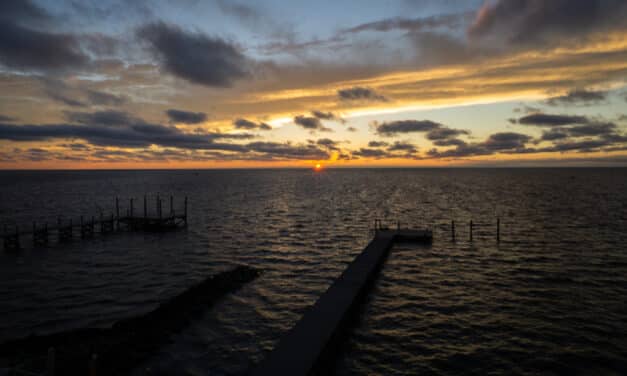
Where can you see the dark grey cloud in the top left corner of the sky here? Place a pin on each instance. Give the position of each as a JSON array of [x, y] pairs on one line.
[[24, 48]]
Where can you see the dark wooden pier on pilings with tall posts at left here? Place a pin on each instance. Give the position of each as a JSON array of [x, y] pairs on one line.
[[65, 230]]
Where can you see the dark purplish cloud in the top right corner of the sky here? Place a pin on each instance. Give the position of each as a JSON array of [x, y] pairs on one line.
[[541, 21]]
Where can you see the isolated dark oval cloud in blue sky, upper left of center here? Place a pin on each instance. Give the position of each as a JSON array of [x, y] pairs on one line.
[[195, 57]]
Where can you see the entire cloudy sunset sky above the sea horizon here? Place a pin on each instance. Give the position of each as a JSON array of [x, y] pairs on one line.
[[102, 84]]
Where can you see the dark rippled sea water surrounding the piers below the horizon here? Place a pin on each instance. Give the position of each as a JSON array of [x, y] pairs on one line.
[[548, 299]]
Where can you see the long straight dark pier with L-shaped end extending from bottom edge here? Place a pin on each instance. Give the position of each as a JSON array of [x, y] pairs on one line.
[[304, 346]]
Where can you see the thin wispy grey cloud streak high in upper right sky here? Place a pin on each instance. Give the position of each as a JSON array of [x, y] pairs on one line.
[[448, 21]]
